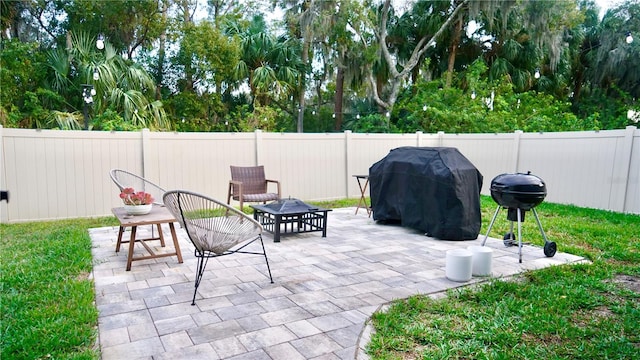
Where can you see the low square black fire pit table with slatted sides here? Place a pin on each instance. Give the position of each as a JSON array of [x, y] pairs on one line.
[[290, 216]]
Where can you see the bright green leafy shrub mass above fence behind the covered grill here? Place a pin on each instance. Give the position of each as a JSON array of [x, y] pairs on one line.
[[480, 106]]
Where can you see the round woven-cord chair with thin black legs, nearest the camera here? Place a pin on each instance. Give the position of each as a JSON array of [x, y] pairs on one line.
[[214, 228]]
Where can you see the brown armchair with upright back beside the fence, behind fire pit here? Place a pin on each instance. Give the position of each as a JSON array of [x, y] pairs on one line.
[[248, 184]]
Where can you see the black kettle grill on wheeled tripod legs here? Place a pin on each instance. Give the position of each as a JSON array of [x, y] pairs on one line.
[[519, 193]]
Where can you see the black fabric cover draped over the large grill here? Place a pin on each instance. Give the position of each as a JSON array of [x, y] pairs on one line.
[[432, 189]]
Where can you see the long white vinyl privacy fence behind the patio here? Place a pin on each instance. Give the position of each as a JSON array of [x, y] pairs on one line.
[[54, 174]]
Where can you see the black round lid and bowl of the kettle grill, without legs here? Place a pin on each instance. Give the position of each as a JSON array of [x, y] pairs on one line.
[[518, 191]]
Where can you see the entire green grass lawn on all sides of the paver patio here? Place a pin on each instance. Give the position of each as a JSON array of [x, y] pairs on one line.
[[575, 311]]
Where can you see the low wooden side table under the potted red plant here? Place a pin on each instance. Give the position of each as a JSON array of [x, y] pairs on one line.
[[159, 215]]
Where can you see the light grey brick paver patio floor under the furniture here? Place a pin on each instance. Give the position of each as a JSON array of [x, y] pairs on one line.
[[324, 292]]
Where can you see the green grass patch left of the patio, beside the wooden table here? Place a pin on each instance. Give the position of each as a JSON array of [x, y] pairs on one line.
[[46, 296]]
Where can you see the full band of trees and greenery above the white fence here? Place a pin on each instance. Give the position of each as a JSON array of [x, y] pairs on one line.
[[319, 65]]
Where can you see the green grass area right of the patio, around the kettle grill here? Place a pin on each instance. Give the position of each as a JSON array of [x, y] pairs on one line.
[[586, 311]]
